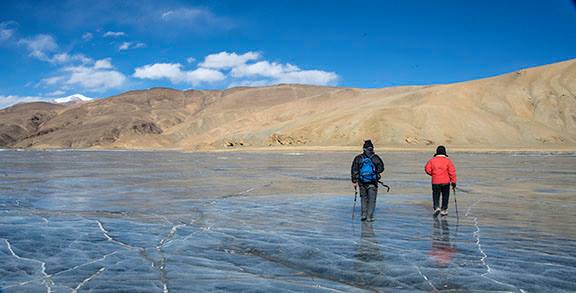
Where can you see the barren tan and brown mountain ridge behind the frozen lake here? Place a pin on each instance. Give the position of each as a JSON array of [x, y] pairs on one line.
[[532, 108]]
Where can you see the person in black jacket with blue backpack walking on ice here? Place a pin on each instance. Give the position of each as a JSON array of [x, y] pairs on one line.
[[366, 169]]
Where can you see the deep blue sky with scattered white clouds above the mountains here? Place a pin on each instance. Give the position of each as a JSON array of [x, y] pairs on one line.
[[50, 49]]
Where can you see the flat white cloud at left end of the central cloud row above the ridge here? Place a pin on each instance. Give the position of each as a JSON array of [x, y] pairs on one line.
[[174, 73]]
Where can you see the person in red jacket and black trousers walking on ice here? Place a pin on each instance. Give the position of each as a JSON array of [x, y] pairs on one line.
[[443, 175]]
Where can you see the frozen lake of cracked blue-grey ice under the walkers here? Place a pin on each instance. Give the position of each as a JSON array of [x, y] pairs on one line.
[[169, 221]]
